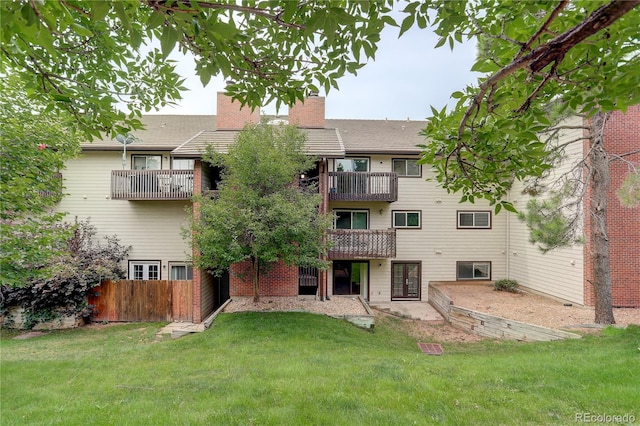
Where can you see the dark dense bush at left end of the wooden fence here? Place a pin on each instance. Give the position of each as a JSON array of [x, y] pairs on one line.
[[71, 275]]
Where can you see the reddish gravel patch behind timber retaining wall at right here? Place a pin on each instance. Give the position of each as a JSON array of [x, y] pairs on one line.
[[531, 308]]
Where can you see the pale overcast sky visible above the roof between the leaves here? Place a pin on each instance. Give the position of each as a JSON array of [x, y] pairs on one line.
[[406, 78]]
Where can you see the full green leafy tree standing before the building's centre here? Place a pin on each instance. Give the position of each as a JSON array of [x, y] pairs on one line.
[[260, 214]]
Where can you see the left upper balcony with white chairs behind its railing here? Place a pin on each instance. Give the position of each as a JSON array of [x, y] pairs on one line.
[[151, 184]]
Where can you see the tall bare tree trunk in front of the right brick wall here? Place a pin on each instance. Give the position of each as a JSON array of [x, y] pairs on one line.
[[600, 186]]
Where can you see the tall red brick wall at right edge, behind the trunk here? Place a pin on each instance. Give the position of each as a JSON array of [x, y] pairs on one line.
[[622, 135]]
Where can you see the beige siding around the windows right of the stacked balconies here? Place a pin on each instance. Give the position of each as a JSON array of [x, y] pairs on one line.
[[439, 244]]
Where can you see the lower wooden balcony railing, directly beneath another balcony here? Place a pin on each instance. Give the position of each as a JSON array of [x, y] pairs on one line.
[[362, 243]]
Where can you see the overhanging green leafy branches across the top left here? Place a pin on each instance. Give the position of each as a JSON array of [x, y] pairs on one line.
[[84, 55]]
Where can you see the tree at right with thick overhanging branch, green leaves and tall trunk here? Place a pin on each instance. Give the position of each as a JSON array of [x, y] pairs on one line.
[[541, 61]]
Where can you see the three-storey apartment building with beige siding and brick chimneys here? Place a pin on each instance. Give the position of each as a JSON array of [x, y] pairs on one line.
[[394, 230]]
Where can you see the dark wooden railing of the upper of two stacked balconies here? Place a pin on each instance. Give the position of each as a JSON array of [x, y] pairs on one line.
[[361, 186]]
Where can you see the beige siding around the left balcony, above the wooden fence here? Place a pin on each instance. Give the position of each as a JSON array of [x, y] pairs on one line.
[[152, 228]]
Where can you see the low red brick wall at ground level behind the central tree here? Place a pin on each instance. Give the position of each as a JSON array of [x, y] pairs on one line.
[[281, 281]]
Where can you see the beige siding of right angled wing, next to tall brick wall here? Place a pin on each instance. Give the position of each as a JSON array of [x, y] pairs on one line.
[[560, 271]]
